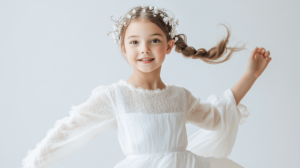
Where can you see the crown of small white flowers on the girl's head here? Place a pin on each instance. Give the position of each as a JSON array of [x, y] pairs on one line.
[[120, 23]]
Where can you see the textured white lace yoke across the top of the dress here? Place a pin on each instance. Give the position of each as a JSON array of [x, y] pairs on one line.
[[167, 100]]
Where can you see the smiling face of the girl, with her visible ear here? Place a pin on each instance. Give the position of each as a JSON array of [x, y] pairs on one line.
[[145, 39]]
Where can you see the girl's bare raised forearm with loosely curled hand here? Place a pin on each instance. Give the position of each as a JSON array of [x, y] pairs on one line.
[[257, 63]]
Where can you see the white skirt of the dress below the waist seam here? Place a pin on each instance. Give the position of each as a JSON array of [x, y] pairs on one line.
[[184, 159]]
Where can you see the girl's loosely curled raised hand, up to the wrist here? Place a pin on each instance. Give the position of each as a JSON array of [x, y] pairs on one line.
[[258, 61]]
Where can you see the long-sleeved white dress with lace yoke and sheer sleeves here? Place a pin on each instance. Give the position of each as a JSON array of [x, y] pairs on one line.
[[151, 128]]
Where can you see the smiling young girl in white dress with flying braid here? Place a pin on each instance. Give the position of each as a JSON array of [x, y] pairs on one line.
[[150, 116]]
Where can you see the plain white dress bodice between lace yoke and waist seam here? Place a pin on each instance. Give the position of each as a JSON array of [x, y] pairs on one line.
[[144, 132]]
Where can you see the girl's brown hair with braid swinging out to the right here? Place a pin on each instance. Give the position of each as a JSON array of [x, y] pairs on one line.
[[181, 45]]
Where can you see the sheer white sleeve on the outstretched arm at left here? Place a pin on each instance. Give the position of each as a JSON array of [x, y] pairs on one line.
[[83, 124]]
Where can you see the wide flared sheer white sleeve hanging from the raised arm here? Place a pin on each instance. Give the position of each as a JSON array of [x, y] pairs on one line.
[[218, 119]]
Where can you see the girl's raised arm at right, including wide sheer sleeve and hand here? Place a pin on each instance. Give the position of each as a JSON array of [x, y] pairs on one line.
[[220, 116]]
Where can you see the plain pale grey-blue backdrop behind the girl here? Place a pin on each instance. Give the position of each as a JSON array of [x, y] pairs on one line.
[[54, 53]]
